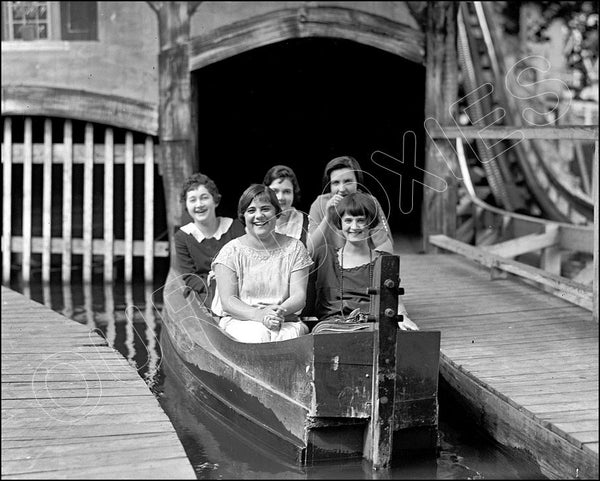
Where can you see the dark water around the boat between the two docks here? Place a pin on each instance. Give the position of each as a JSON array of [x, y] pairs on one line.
[[128, 316]]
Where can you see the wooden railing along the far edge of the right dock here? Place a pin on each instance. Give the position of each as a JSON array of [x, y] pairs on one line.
[[529, 233]]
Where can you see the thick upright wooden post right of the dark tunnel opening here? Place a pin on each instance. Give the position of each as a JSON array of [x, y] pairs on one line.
[[441, 91]]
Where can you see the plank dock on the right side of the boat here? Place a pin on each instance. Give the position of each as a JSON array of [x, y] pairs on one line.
[[524, 361]]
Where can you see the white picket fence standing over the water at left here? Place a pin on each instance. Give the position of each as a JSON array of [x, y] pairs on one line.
[[68, 154]]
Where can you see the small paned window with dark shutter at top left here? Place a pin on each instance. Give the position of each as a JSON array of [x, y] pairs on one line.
[[26, 21]]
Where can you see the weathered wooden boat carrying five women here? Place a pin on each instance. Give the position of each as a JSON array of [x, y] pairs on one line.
[[370, 393]]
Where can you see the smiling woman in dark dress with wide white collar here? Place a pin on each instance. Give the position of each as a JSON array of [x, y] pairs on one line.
[[197, 243]]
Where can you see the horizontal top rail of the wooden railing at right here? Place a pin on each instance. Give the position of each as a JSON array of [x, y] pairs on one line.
[[562, 132]]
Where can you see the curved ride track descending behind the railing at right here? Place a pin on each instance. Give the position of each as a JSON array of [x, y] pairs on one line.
[[533, 161]]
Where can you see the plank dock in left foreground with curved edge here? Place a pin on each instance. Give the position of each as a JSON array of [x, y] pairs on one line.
[[72, 407]]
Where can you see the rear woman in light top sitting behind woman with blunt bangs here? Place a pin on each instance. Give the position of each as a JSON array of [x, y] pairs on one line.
[[342, 176]]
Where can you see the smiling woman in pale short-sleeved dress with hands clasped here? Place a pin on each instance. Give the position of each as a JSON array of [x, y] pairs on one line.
[[262, 275]]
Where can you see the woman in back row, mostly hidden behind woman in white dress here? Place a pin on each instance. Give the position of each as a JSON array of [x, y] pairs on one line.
[[282, 180]]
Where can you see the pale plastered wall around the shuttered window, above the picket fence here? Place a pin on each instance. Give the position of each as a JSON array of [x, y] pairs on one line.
[[124, 62]]
